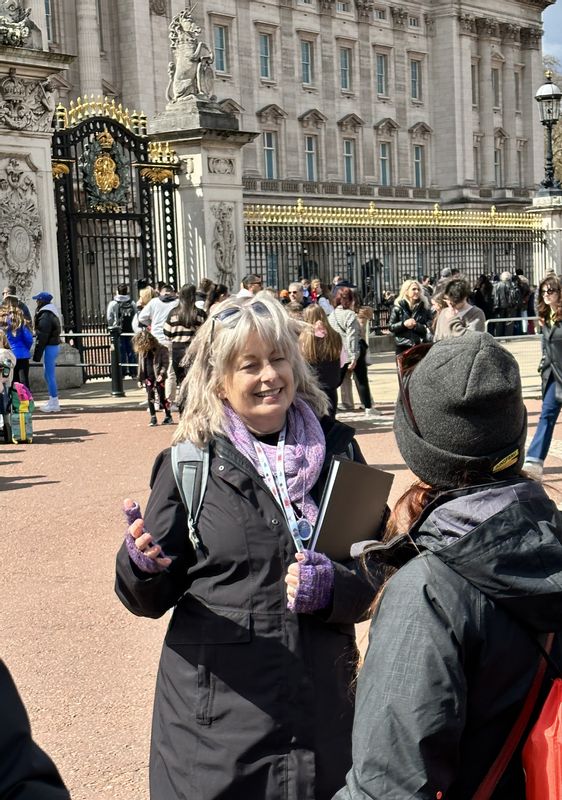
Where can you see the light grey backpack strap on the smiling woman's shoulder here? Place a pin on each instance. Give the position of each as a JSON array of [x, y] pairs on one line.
[[191, 466]]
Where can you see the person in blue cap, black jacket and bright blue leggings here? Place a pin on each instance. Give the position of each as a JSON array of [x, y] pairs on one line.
[[48, 326]]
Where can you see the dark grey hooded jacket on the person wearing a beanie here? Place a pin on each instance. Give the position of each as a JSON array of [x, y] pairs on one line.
[[451, 654]]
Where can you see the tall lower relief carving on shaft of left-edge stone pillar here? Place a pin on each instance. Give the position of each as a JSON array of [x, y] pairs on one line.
[[20, 224]]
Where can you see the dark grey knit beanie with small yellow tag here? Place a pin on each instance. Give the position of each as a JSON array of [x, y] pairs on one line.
[[466, 401]]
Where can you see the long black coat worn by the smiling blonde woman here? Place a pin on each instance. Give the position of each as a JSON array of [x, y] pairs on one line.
[[252, 701]]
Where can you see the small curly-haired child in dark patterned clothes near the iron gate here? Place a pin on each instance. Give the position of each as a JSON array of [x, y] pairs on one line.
[[154, 361]]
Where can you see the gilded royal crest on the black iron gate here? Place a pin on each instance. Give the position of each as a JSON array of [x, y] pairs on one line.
[[106, 175]]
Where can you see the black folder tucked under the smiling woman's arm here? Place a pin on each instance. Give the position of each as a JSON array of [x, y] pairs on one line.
[[352, 507]]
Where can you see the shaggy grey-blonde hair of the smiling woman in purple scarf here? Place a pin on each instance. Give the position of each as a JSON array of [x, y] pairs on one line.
[[211, 359]]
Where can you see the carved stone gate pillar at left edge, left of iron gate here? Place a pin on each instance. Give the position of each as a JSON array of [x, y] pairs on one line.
[[28, 244]]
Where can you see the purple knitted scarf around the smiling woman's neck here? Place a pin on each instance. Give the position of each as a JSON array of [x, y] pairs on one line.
[[305, 450]]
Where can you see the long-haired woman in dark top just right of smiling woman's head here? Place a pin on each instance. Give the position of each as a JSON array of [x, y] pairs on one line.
[[321, 347]]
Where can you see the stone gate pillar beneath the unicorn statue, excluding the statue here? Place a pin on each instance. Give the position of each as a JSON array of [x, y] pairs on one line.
[[211, 230]]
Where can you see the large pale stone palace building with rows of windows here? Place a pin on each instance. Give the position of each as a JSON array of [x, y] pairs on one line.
[[403, 104]]
